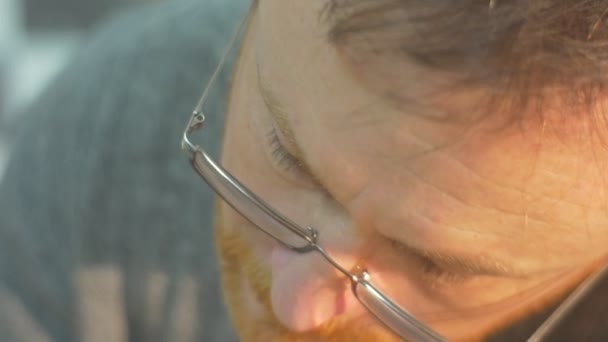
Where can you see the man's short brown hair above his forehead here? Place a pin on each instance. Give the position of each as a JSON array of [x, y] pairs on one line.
[[520, 47]]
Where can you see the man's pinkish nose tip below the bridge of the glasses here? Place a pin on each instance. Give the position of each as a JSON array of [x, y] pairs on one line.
[[307, 291]]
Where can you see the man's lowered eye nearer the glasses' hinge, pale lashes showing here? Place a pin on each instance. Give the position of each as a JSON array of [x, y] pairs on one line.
[[284, 162]]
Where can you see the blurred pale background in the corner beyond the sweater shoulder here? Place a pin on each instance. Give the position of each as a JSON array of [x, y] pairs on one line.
[[37, 39]]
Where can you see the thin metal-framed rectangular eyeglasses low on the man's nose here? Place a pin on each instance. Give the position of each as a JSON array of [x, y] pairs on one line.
[[305, 240]]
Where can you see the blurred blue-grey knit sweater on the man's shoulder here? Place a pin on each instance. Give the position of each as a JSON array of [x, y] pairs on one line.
[[105, 231]]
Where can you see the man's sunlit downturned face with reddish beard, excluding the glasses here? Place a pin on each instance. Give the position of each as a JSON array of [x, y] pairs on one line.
[[467, 224]]
